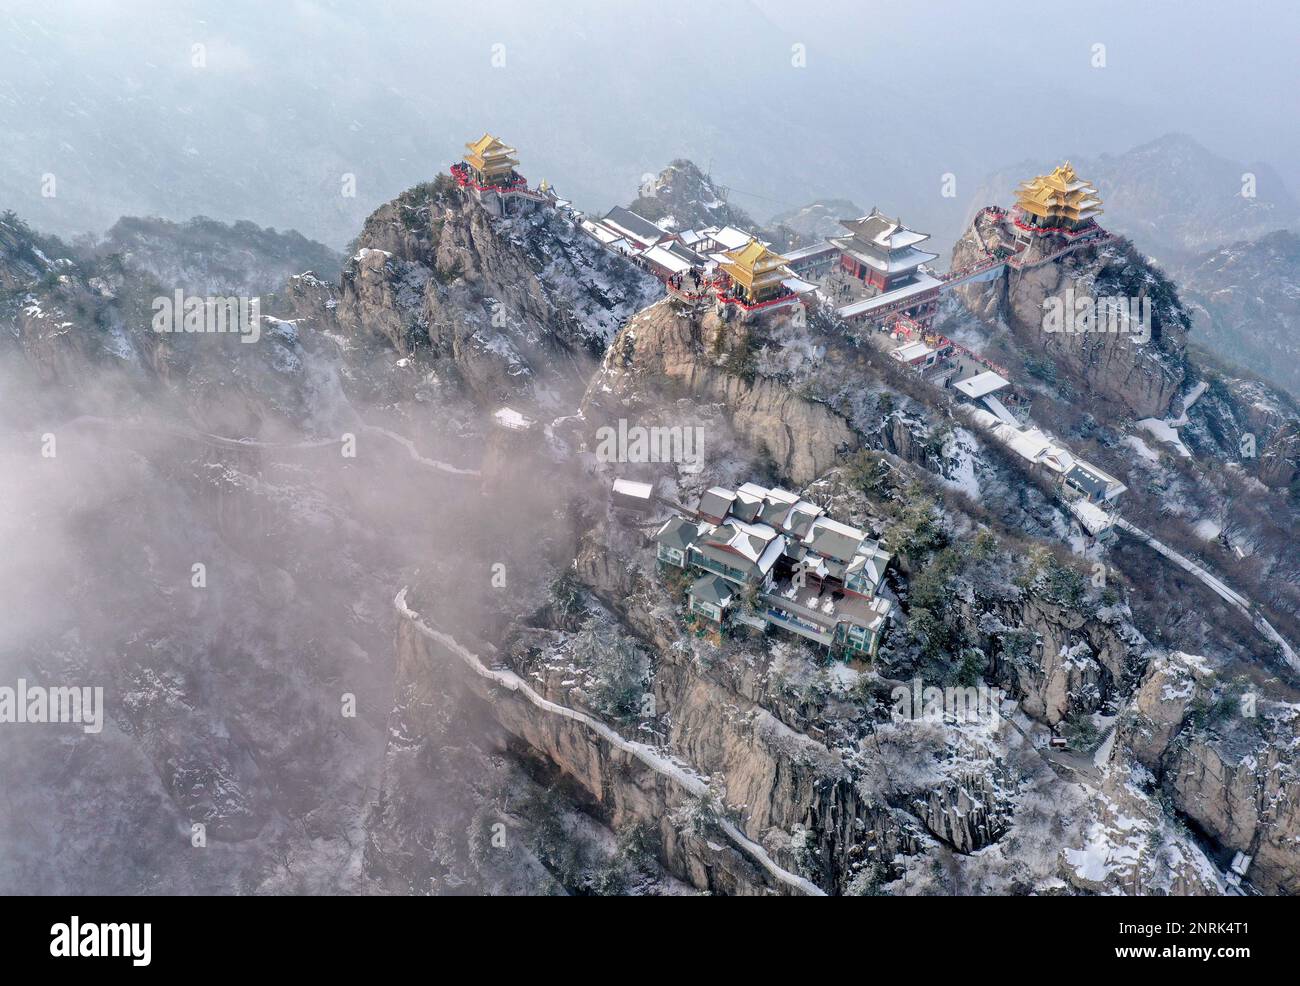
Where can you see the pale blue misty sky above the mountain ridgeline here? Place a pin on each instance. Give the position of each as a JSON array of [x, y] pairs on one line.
[[292, 97]]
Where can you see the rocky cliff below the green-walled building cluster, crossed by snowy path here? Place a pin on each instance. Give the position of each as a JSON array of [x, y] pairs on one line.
[[829, 797]]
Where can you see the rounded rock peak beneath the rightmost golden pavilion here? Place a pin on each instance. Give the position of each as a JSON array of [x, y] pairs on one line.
[[1117, 369]]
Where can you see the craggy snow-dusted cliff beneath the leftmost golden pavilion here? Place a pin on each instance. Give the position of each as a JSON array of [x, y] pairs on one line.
[[515, 309]]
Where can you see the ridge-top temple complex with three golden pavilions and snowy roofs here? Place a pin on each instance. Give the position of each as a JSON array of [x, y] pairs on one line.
[[877, 274]]
